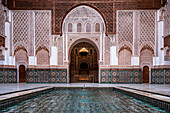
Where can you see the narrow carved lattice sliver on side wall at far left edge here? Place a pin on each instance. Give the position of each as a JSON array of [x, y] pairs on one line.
[[2, 21]]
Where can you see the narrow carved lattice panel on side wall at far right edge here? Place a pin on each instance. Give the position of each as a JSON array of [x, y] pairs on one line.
[[167, 20]]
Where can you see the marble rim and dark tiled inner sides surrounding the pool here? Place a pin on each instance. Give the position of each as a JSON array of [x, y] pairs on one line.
[[19, 97]]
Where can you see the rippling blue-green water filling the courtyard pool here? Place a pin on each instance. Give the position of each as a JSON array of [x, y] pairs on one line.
[[83, 101]]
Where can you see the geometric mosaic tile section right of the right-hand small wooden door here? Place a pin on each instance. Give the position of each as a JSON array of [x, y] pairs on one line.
[[160, 76]]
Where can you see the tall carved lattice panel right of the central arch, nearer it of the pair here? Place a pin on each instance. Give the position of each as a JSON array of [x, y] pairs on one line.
[[125, 27]]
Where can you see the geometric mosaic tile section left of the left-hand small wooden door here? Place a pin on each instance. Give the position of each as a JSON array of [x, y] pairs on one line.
[[8, 75]]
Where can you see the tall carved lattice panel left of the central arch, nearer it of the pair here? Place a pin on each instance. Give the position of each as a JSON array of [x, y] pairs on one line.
[[42, 28]]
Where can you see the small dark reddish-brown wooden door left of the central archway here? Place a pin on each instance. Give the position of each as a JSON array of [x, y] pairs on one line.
[[22, 73]]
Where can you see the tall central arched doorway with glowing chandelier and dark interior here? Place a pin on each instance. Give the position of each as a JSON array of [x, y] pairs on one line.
[[83, 66]]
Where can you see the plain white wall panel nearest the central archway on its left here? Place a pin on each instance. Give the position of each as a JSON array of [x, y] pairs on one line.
[[54, 56]]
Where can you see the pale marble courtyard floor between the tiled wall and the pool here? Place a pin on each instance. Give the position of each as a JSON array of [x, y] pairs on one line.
[[156, 88]]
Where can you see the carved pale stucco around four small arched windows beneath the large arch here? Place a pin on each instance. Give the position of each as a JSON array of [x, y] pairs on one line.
[[83, 15]]
